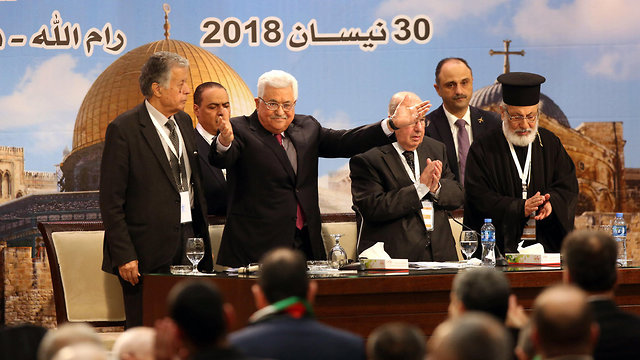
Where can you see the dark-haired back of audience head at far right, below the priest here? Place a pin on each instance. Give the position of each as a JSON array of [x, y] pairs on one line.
[[590, 260]]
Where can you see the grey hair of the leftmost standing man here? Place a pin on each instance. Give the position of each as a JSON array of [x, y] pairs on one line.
[[157, 69]]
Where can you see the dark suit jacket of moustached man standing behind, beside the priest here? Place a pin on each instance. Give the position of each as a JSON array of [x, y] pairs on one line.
[[440, 130]]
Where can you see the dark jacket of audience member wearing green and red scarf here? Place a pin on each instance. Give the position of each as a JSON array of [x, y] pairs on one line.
[[285, 338]]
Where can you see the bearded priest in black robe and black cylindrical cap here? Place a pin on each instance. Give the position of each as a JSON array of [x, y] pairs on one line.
[[521, 176]]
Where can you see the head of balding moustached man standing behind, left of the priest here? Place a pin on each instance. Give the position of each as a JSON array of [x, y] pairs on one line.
[[454, 84]]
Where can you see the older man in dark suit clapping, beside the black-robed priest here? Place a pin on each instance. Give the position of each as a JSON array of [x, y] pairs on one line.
[[393, 195]]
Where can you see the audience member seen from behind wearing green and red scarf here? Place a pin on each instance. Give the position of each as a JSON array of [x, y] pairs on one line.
[[284, 327]]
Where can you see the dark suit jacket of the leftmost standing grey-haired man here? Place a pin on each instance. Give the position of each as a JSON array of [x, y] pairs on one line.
[[139, 199]]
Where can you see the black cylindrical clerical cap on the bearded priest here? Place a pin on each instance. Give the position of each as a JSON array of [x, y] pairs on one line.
[[520, 88]]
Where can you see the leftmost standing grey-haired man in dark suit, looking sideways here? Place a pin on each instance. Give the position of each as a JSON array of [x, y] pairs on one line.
[[151, 199]]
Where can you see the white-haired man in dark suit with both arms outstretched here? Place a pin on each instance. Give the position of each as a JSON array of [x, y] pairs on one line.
[[271, 159]]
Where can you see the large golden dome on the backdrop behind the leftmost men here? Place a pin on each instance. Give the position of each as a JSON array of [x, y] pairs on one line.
[[116, 90]]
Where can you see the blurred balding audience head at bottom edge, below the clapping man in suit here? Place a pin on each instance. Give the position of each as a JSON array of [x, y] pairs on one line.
[[472, 336]]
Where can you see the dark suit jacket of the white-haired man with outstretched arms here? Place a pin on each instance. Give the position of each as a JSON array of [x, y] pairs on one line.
[[264, 190]]
